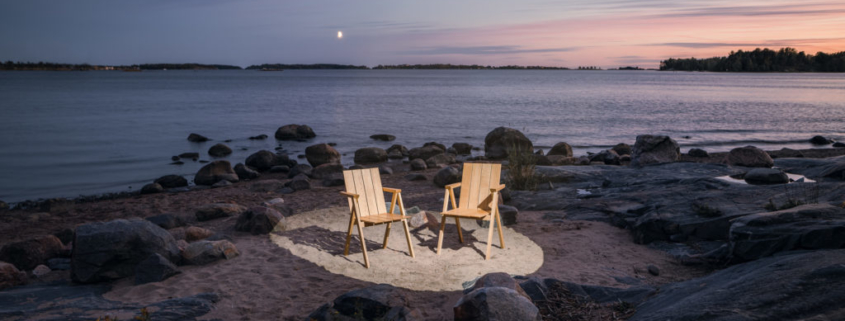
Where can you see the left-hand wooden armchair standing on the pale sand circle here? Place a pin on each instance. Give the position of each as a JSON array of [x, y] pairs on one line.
[[366, 207]]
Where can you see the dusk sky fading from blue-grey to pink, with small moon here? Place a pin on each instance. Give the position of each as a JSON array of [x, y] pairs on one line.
[[603, 33]]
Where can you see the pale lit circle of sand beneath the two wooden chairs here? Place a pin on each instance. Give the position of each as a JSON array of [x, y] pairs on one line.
[[319, 237]]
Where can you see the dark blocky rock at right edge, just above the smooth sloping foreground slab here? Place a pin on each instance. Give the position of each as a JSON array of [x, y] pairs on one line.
[[811, 227]]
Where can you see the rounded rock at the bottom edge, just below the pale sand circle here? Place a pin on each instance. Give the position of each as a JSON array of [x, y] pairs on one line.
[[495, 303]]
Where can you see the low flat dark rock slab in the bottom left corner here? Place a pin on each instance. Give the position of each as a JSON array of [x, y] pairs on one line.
[[65, 301]]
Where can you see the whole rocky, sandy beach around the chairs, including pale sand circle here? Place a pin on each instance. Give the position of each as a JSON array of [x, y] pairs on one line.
[[635, 232]]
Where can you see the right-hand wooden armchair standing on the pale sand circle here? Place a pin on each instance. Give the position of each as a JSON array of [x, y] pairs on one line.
[[479, 200]]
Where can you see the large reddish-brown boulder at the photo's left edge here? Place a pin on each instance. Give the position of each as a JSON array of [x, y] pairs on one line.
[[26, 255]]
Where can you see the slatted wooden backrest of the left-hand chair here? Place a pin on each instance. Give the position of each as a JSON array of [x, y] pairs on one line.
[[367, 184]]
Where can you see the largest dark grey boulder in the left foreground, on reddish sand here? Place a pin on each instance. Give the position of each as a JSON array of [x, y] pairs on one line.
[[107, 251]]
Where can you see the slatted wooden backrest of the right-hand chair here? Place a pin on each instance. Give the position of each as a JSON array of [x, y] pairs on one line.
[[476, 183]]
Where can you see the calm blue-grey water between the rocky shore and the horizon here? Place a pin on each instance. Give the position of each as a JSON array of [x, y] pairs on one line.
[[64, 134]]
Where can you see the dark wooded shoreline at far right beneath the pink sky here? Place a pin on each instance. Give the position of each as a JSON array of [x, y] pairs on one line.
[[762, 60]]
